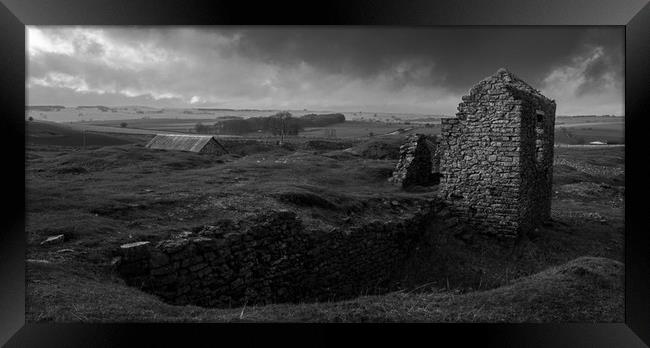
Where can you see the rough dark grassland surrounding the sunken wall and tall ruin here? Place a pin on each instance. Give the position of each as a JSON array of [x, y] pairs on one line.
[[102, 197]]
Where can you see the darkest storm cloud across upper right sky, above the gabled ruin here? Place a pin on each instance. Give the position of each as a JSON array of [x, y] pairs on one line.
[[461, 55]]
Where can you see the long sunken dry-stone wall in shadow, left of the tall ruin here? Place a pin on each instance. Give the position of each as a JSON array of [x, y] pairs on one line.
[[274, 259]]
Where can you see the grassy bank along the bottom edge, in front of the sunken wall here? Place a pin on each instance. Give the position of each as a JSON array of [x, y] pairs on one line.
[[587, 289]]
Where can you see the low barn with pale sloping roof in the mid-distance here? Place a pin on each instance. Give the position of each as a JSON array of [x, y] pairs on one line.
[[182, 142]]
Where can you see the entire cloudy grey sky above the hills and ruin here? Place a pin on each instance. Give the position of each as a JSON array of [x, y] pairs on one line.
[[380, 69]]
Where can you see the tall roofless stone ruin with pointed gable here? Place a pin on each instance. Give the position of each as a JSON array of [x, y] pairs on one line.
[[497, 156]]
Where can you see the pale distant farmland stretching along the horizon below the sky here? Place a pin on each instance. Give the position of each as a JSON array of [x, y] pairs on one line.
[[359, 125]]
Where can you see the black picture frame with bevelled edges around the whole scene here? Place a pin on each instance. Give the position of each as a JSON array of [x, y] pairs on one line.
[[633, 15]]
